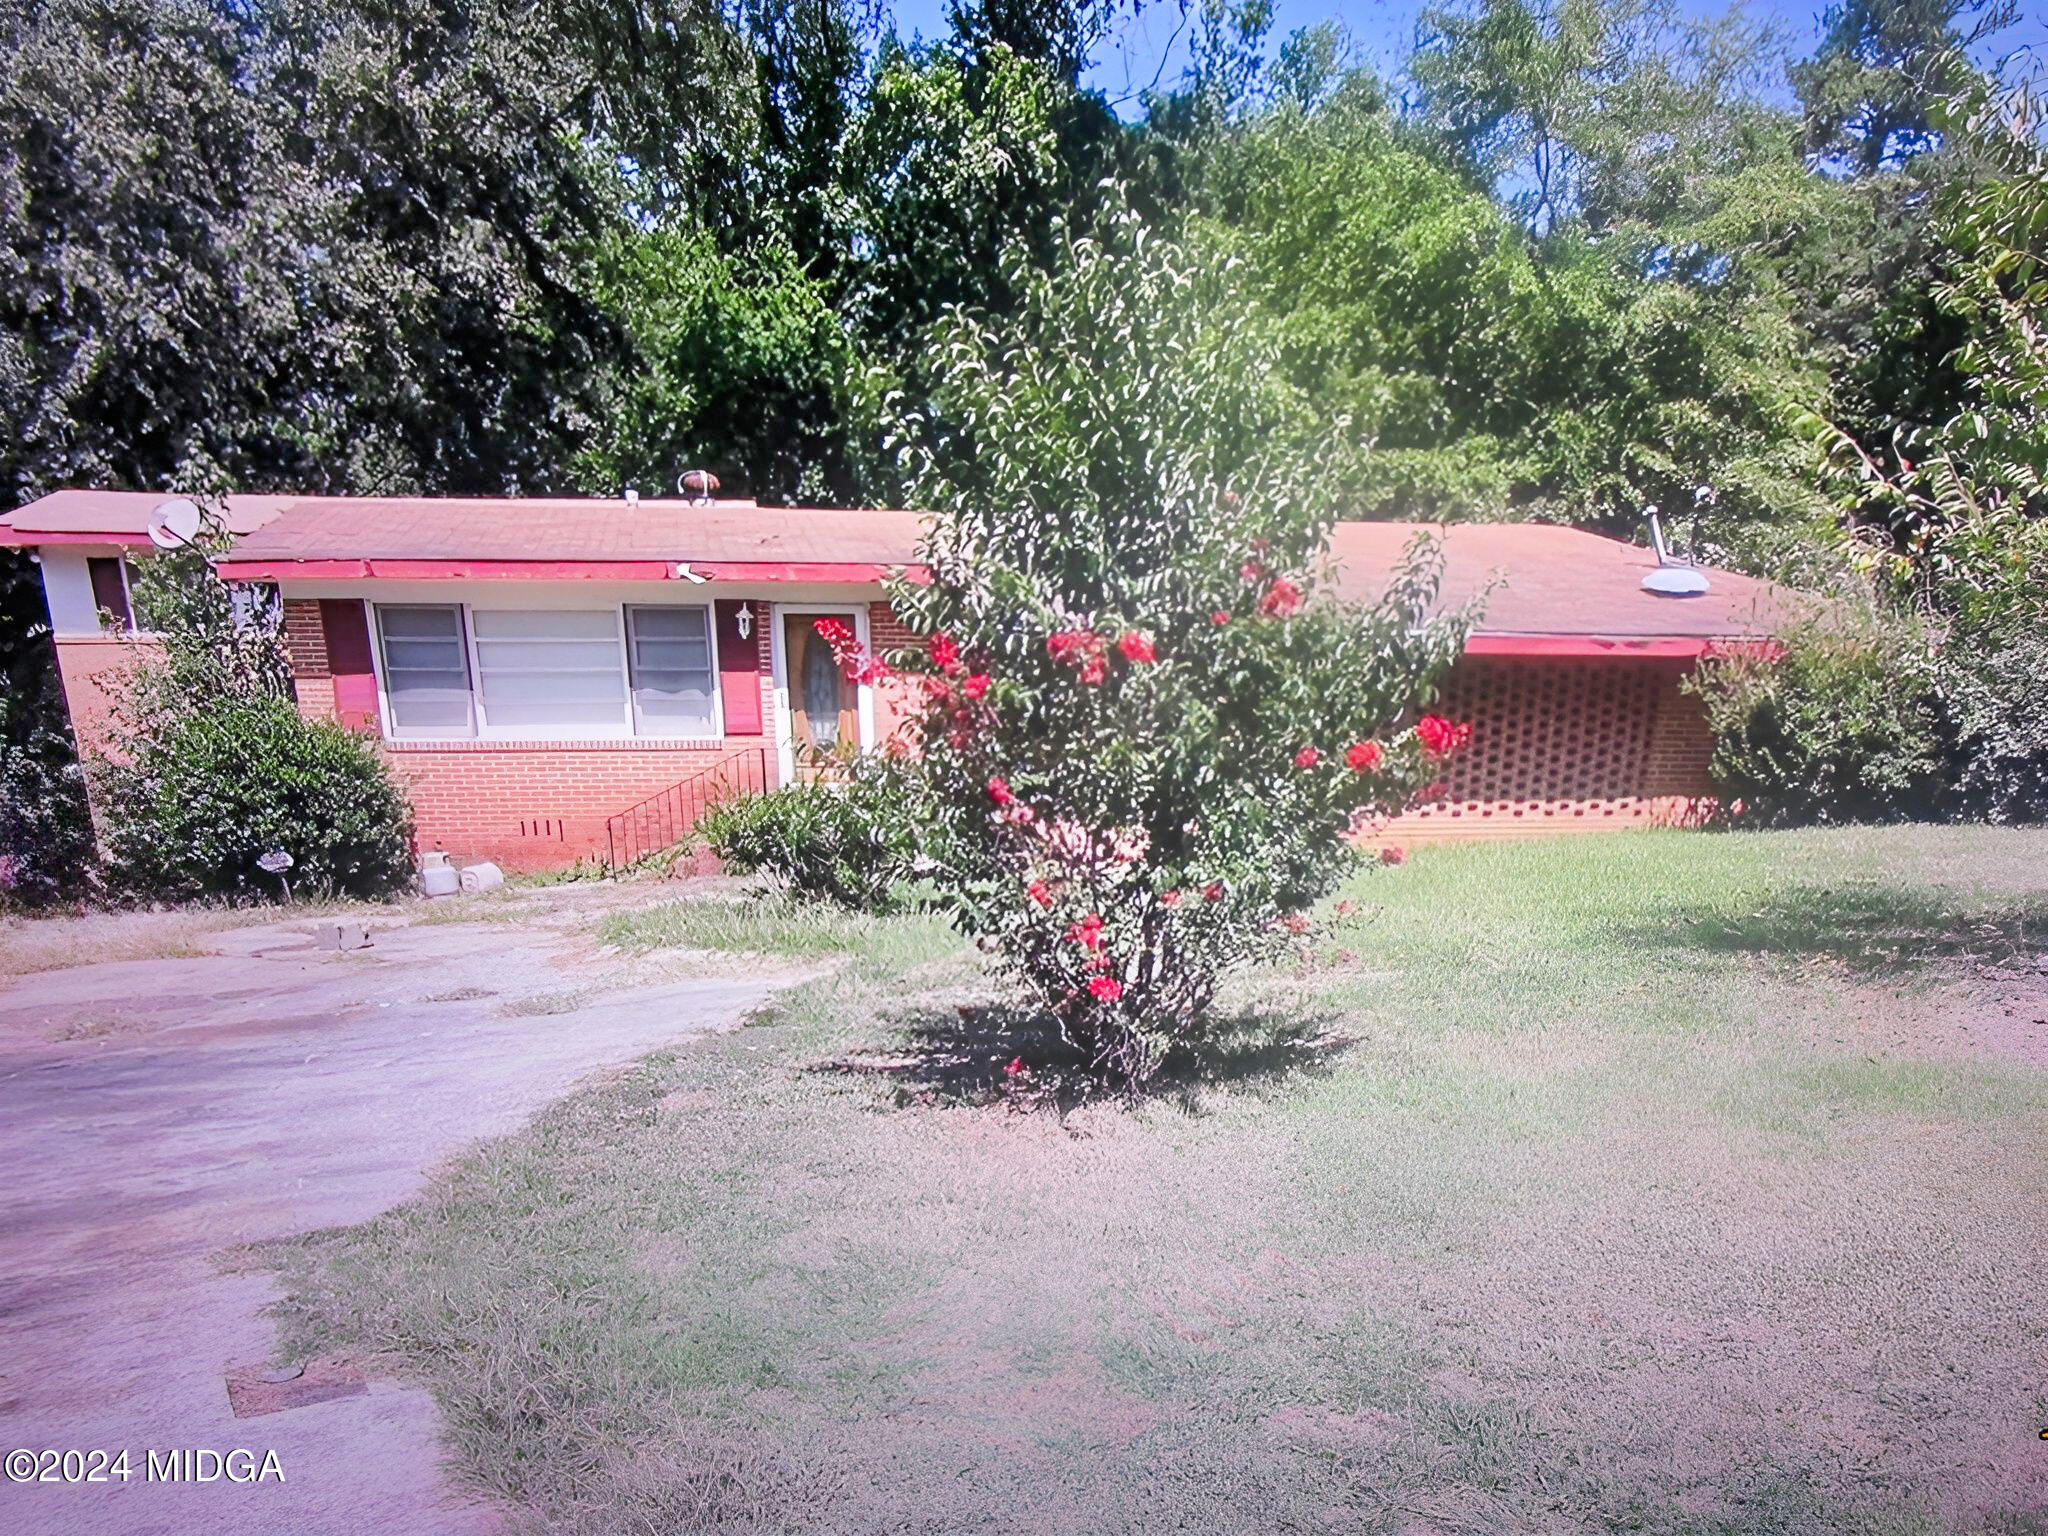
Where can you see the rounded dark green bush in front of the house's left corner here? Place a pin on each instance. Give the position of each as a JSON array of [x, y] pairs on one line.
[[216, 785]]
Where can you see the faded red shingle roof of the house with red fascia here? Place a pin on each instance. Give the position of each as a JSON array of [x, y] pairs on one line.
[[1560, 583]]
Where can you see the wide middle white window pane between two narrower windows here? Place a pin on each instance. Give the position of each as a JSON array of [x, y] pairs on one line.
[[550, 671]]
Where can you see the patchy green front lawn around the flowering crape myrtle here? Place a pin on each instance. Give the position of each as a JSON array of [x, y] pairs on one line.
[[1652, 1183]]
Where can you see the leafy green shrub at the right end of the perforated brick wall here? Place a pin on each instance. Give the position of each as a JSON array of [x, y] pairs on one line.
[[1838, 726]]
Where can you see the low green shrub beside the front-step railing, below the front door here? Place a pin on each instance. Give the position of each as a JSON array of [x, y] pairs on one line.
[[851, 841]]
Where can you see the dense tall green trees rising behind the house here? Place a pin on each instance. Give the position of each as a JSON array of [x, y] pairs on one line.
[[1566, 261]]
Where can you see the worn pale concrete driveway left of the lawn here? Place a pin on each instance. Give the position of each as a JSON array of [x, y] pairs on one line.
[[161, 1113]]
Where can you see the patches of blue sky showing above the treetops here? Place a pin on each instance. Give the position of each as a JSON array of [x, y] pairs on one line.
[[1385, 30]]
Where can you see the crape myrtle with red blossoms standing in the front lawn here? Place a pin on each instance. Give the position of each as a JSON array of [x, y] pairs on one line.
[[1146, 722]]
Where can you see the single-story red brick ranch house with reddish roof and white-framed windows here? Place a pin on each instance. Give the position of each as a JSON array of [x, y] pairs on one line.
[[568, 679]]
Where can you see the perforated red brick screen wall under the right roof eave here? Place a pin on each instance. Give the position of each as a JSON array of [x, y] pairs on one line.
[[1568, 746]]
